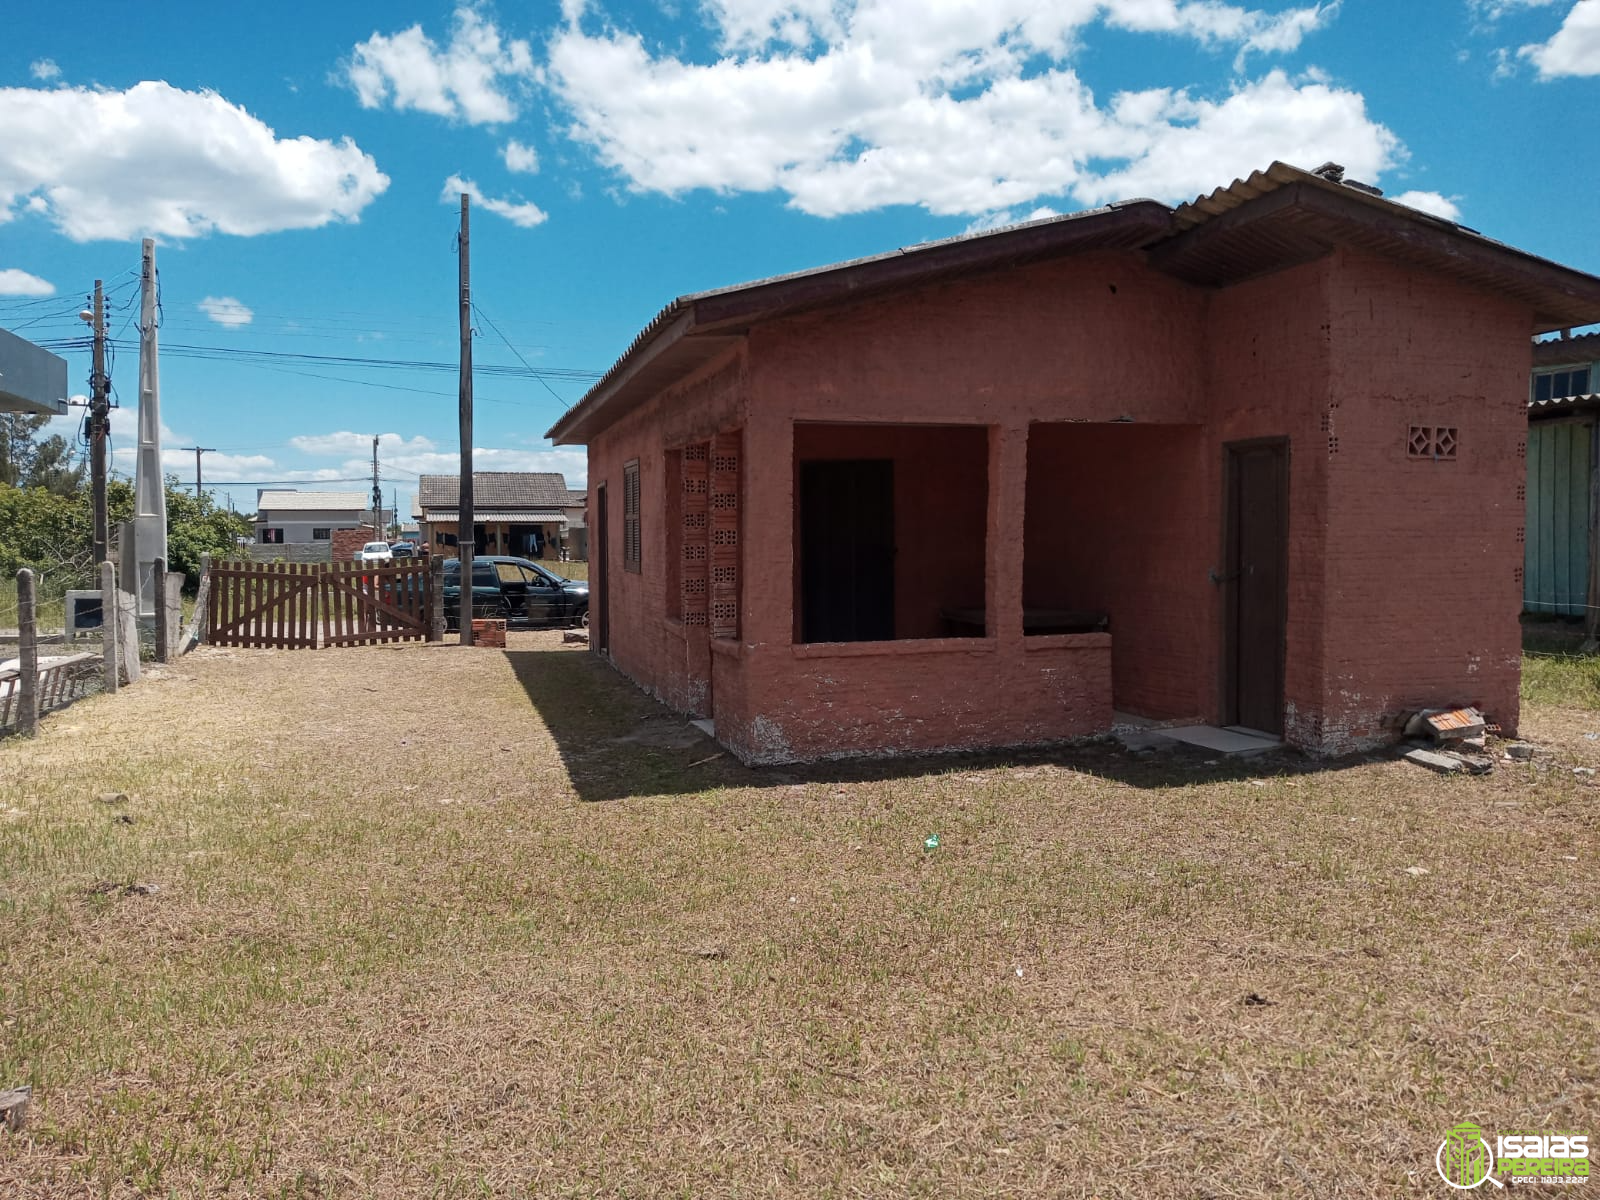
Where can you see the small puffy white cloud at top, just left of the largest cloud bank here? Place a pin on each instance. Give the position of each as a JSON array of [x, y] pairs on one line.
[[470, 79]]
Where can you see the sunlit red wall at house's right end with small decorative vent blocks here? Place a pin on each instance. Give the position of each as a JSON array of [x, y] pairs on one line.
[[1425, 559]]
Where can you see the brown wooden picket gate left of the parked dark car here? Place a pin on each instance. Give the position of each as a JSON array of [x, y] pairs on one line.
[[305, 606]]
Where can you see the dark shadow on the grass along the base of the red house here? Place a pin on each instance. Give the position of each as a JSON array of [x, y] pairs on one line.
[[620, 743]]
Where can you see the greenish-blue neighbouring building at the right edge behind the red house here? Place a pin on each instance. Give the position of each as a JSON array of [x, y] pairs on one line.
[[1564, 439]]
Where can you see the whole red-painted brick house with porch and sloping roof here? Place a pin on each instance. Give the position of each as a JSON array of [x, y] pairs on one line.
[[1252, 462]]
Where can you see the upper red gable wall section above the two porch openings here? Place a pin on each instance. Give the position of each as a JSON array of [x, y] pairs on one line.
[[1094, 338]]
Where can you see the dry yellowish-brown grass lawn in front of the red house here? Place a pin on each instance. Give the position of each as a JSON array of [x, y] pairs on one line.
[[431, 922]]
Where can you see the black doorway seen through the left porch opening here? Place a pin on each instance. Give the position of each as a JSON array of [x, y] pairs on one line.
[[847, 551]]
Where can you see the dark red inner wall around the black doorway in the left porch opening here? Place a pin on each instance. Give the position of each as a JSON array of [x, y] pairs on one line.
[[942, 511]]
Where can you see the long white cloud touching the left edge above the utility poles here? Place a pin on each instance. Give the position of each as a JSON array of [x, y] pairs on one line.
[[158, 161]]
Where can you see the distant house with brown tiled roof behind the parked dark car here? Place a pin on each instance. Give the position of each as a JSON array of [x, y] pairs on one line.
[[529, 514]]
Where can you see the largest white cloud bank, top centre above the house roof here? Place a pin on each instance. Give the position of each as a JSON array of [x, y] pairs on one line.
[[964, 110]]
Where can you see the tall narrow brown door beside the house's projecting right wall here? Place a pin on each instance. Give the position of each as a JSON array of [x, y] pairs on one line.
[[1257, 610]]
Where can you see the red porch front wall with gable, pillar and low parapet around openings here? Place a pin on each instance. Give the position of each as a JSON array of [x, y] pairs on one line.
[[1095, 338]]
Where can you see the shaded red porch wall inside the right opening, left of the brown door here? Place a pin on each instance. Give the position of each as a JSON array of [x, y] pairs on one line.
[[1113, 526]]
